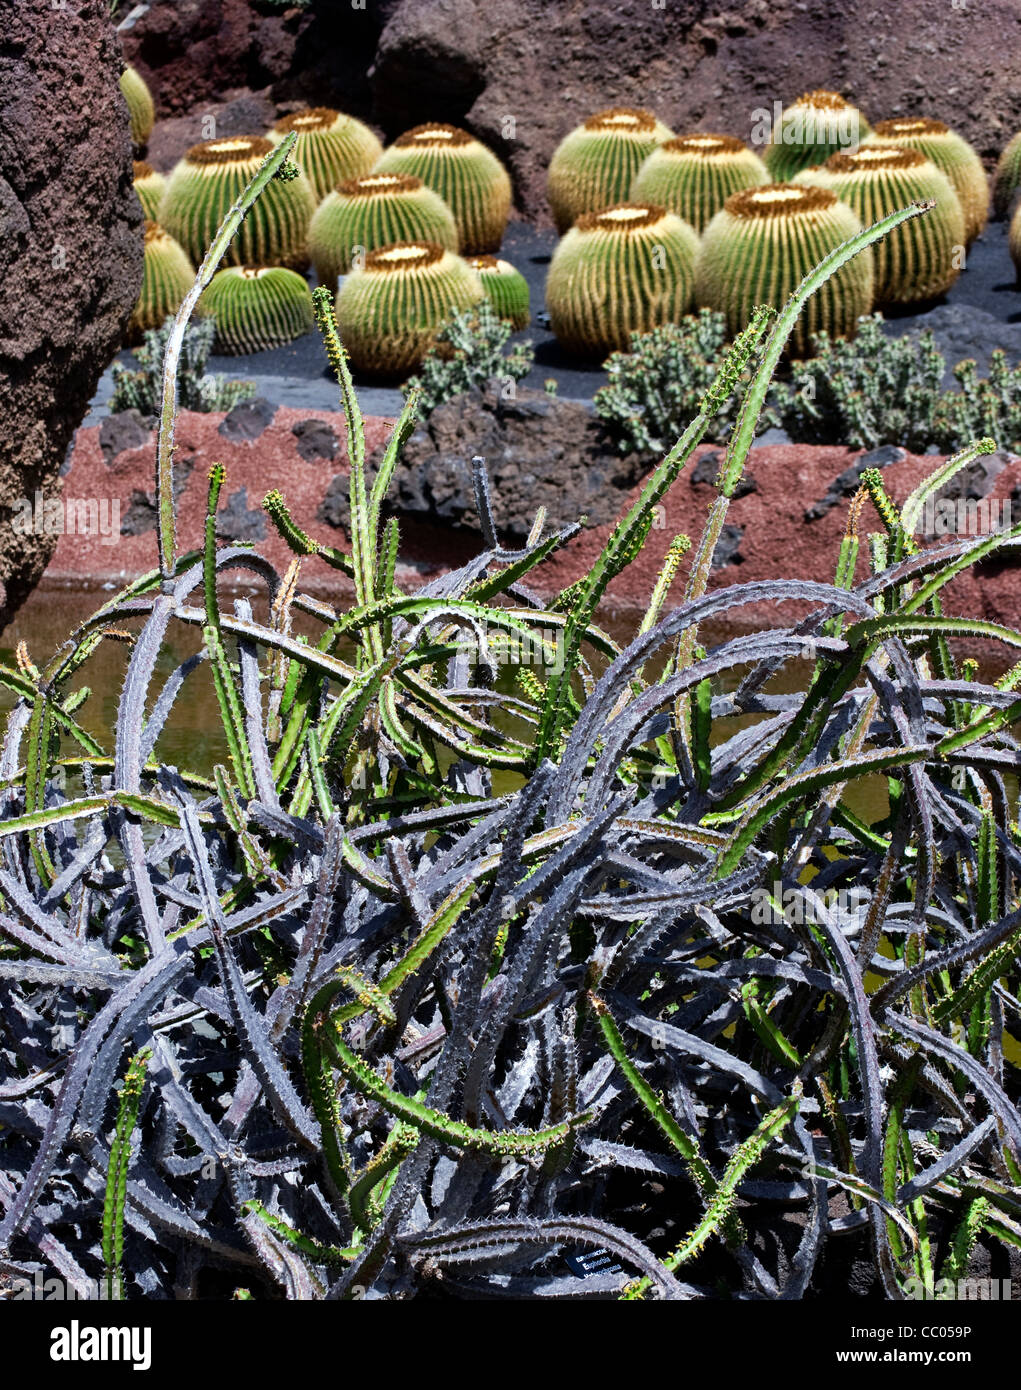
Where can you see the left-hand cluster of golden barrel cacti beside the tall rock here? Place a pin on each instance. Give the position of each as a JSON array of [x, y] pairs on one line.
[[410, 231]]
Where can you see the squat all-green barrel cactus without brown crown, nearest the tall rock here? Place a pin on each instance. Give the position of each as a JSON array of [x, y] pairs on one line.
[[258, 308]]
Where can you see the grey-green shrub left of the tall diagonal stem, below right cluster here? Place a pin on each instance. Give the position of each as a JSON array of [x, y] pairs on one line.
[[656, 389]]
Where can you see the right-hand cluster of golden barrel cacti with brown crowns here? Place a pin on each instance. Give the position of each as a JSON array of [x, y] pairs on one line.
[[762, 223]]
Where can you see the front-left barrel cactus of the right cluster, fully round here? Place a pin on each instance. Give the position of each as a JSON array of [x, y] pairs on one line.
[[617, 273]]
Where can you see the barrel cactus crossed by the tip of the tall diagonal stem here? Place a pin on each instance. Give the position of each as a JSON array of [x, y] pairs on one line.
[[920, 259]]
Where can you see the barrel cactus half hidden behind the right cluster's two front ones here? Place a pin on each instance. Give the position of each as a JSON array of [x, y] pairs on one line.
[[694, 176]]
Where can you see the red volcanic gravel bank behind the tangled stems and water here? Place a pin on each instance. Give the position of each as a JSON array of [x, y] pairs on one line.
[[776, 540]]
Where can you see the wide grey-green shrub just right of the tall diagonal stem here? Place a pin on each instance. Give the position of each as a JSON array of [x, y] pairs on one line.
[[862, 394]]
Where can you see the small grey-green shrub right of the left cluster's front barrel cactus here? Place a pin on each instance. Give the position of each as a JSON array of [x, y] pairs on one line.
[[470, 354]]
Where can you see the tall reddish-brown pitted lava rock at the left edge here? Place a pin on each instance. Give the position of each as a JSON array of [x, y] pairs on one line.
[[70, 251]]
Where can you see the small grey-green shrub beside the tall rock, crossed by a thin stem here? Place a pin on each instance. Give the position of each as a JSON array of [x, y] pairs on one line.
[[142, 390]]
